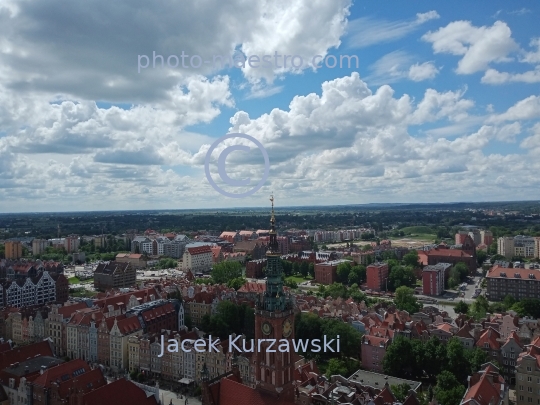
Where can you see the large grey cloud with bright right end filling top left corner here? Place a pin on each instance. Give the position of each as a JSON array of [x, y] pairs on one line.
[[92, 53]]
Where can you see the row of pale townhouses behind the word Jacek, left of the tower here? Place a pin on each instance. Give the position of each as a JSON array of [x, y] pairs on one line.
[[178, 359]]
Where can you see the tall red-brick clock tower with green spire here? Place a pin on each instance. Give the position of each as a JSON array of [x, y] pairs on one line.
[[274, 319]]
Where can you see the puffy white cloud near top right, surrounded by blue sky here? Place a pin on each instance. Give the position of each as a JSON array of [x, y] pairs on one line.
[[478, 46]]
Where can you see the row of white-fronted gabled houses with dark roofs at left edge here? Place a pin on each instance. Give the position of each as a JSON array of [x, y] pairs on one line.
[[42, 289]]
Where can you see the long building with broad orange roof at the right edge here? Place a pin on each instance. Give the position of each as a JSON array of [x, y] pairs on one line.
[[519, 283]]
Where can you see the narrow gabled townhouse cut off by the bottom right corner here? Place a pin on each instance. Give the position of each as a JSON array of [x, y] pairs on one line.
[[528, 375]]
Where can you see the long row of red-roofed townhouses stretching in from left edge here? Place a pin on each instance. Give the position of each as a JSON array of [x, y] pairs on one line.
[[96, 334]]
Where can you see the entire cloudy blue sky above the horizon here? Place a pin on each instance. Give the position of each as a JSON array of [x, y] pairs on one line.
[[377, 102]]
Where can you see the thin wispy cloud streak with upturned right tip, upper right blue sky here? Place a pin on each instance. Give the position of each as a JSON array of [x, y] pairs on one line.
[[366, 31]]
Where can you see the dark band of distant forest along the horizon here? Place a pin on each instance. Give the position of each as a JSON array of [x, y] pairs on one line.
[[386, 219]]
